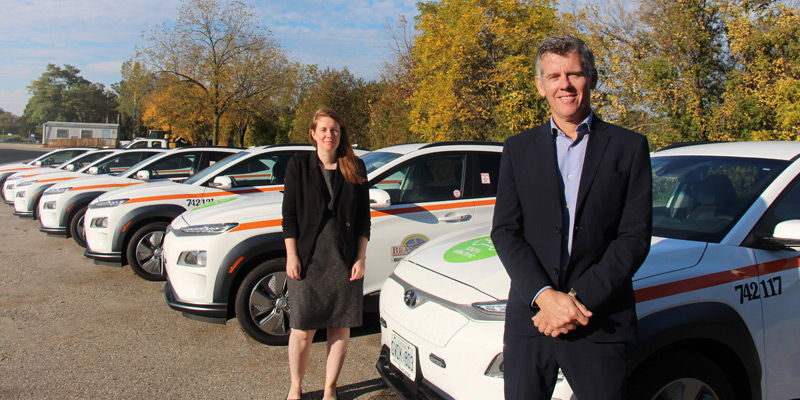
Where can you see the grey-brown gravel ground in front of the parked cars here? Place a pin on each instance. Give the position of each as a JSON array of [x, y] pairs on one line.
[[73, 329]]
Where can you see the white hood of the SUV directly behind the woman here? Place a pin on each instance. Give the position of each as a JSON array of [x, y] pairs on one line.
[[241, 209]]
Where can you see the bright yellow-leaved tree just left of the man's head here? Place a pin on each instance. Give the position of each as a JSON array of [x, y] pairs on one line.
[[474, 68]]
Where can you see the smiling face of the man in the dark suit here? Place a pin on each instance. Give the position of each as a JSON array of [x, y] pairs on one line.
[[566, 87]]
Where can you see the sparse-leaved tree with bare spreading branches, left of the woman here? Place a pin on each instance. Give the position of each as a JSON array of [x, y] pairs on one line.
[[220, 49]]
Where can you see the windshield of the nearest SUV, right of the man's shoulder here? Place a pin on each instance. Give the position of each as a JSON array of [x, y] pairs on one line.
[[701, 197]]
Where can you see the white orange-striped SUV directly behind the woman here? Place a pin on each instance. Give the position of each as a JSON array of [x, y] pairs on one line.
[[228, 259]]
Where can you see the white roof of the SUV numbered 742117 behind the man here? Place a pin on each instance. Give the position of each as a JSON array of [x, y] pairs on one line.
[[778, 150]]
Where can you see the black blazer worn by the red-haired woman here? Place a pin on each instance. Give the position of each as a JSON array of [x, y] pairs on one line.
[[305, 199]]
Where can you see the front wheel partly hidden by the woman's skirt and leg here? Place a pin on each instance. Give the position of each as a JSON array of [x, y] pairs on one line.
[[262, 303]]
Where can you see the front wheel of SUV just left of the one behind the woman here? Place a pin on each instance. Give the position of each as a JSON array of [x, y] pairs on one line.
[[144, 251]]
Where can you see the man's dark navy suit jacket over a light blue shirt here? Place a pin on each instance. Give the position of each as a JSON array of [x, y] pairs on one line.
[[612, 230]]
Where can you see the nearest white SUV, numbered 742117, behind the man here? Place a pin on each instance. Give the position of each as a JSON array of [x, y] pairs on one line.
[[717, 296]]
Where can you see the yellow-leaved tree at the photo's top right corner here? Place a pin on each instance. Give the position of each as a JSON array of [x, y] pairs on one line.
[[762, 101]]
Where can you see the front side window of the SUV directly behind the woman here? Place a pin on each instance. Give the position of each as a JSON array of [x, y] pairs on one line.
[[431, 178]]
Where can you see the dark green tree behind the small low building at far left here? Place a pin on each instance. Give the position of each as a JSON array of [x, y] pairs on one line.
[[61, 94]]
